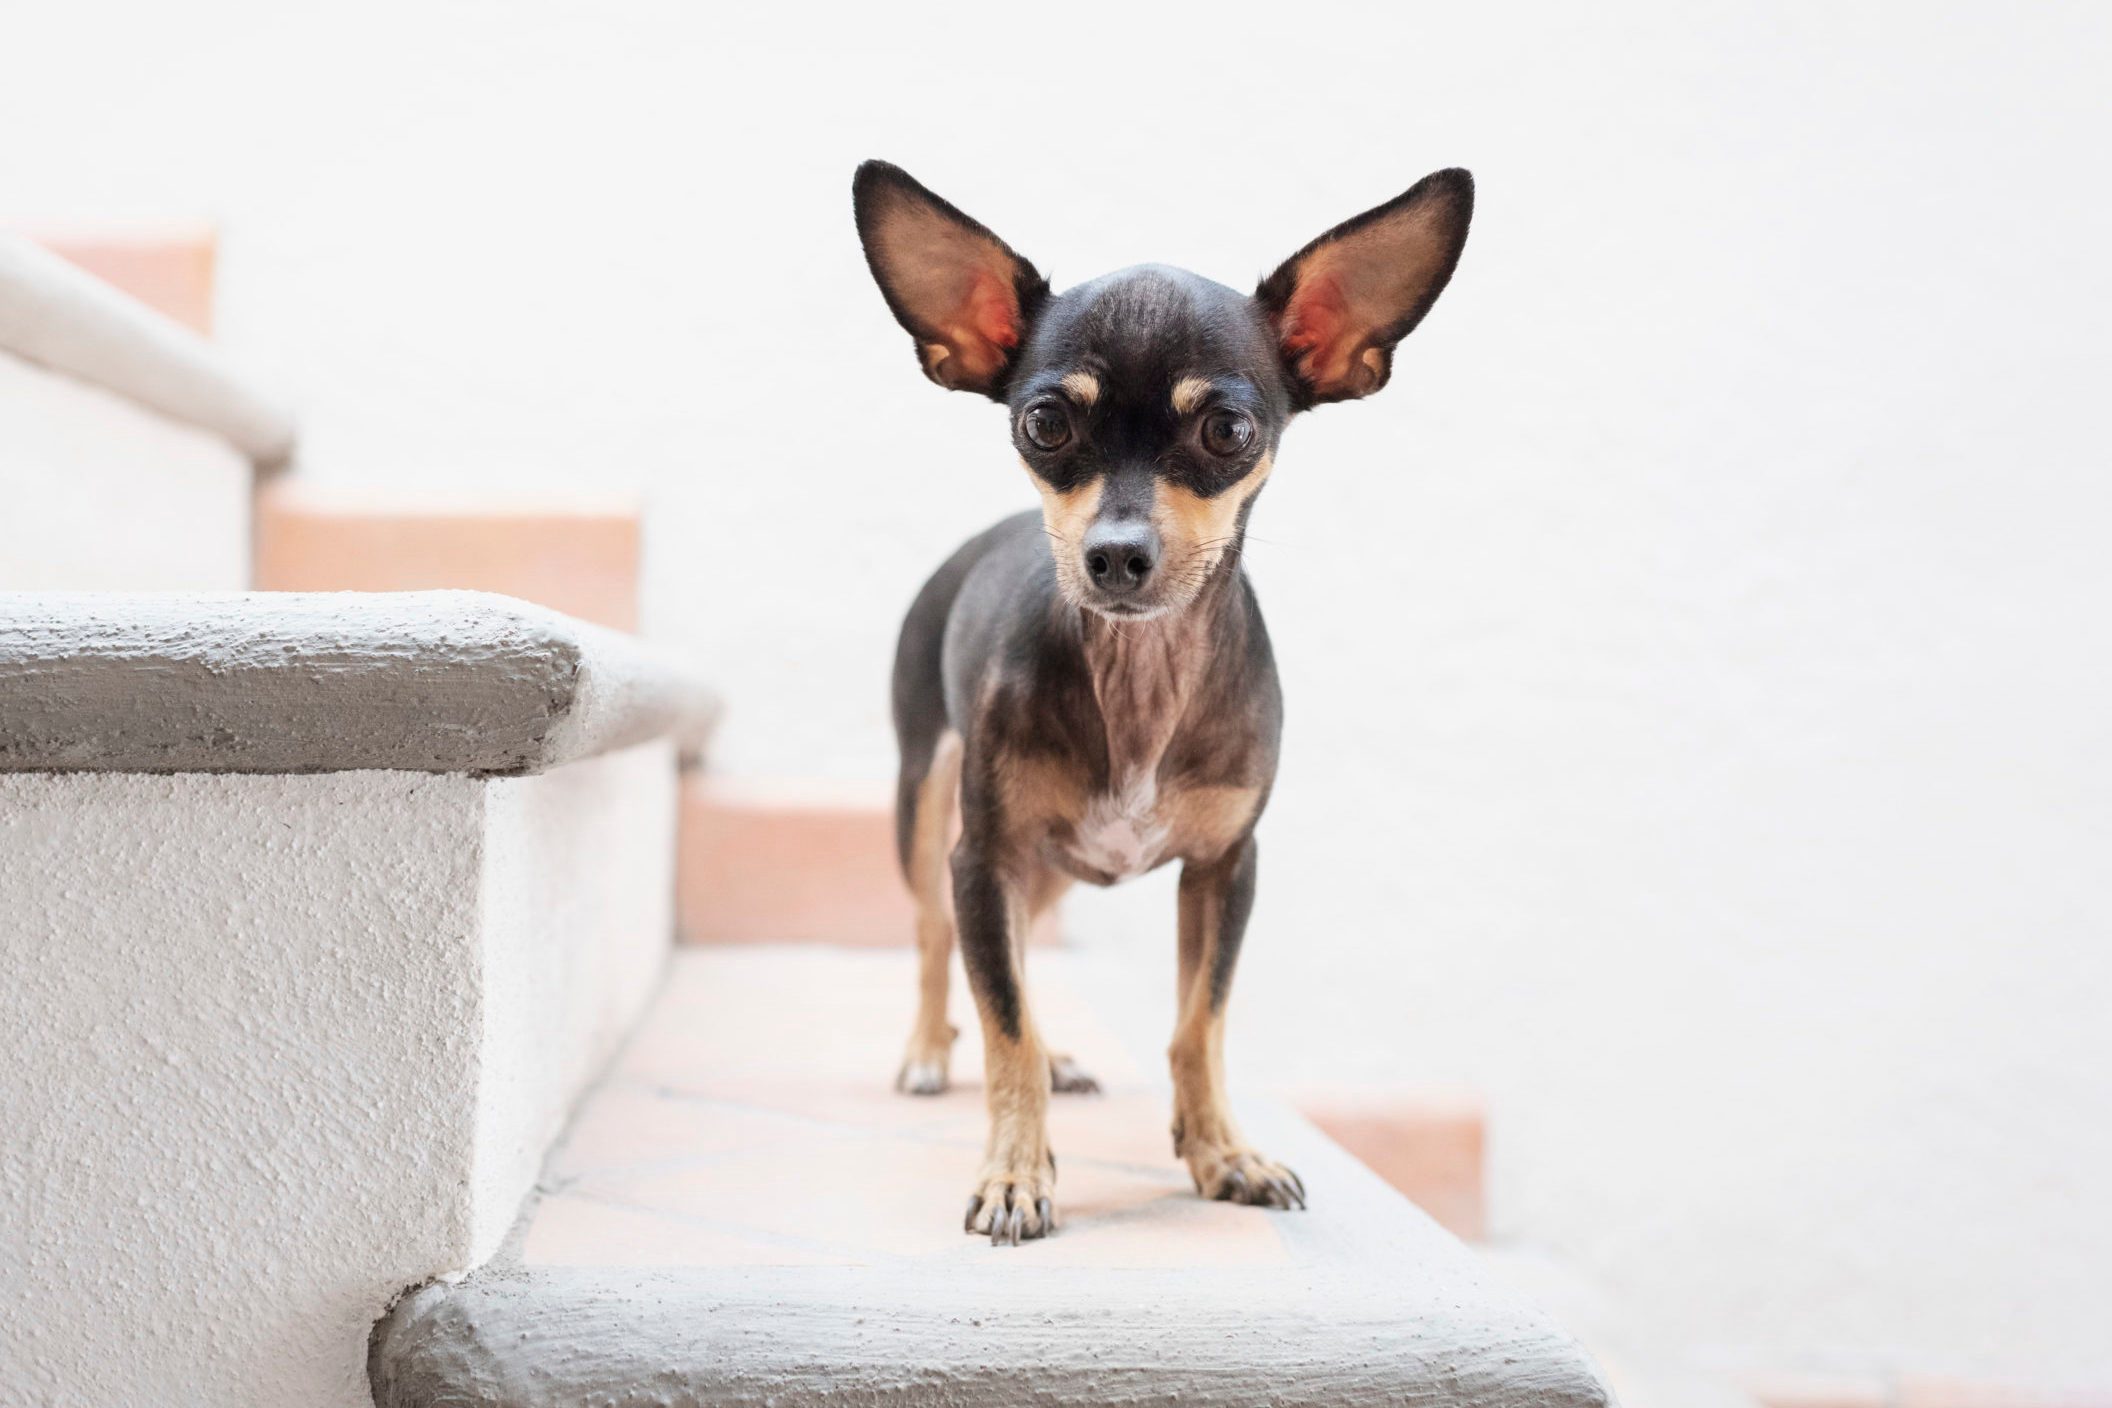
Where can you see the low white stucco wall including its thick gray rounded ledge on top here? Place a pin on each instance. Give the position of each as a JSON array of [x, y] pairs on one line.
[[316, 915]]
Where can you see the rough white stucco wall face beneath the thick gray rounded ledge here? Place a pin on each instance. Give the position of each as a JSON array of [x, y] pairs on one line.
[[284, 1046]]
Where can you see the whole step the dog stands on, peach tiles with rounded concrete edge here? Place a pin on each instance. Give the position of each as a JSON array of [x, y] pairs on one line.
[[749, 1213]]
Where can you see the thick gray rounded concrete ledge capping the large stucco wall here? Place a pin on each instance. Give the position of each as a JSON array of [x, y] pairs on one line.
[[324, 683]]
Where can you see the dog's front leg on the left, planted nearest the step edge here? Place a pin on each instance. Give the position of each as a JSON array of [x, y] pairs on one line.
[[1015, 1192]]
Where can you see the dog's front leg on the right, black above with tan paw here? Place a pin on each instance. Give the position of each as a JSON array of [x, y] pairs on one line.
[[1215, 902]]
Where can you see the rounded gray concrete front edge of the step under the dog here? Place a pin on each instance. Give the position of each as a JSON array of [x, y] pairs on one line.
[[892, 1335]]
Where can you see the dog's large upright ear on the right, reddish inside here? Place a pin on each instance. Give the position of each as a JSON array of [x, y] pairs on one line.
[[1342, 303]]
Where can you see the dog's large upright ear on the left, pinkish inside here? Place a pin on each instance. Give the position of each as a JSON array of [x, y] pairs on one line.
[[949, 282]]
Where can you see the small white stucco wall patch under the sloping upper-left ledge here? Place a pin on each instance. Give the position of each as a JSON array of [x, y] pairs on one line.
[[107, 495]]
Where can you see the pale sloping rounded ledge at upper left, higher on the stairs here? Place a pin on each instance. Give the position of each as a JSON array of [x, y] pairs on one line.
[[67, 320]]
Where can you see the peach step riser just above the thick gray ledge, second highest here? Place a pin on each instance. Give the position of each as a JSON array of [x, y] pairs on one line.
[[582, 565]]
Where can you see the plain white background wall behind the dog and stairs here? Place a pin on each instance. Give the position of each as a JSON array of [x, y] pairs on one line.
[[1697, 658]]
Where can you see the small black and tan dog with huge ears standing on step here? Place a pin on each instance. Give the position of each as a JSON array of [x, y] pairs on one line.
[[1091, 687]]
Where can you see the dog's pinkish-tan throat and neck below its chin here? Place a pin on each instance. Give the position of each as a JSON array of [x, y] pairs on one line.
[[1146, 674]]
